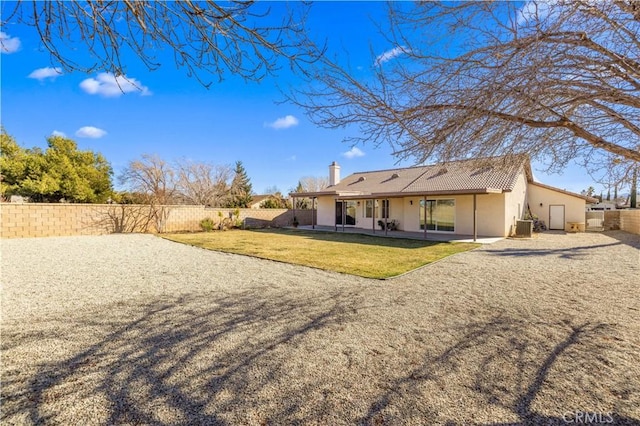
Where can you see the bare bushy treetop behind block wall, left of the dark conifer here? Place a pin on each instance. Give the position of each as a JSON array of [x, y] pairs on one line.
[[203, 183]]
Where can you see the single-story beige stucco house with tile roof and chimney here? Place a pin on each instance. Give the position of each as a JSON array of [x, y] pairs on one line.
[[482, 197]]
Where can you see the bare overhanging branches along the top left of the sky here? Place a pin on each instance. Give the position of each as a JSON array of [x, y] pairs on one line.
[[242, 38]]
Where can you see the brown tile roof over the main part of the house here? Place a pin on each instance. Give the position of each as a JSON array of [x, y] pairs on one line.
[[496, 174]]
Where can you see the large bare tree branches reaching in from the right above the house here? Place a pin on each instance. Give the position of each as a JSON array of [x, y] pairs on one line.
[[559, 80]]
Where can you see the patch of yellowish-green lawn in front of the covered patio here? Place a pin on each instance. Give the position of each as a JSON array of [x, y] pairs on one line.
[[363, 255]]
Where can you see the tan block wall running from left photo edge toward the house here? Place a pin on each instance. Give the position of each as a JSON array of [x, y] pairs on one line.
[[45, 220]]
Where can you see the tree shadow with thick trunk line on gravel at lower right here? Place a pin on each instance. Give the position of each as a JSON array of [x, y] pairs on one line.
[[514, 387]]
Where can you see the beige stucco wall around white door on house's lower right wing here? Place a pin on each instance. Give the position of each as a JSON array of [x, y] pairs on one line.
[[540, 199]]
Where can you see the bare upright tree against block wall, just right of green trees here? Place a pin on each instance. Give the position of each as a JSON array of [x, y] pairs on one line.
[[155, 178]]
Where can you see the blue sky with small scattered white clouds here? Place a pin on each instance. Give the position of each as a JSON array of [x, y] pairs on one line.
[[174, 116]]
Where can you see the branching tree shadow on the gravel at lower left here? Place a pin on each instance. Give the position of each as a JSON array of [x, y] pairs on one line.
[[192, 365]]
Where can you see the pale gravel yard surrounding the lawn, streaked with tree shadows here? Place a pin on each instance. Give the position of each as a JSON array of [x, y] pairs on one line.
[[134, 329]]
